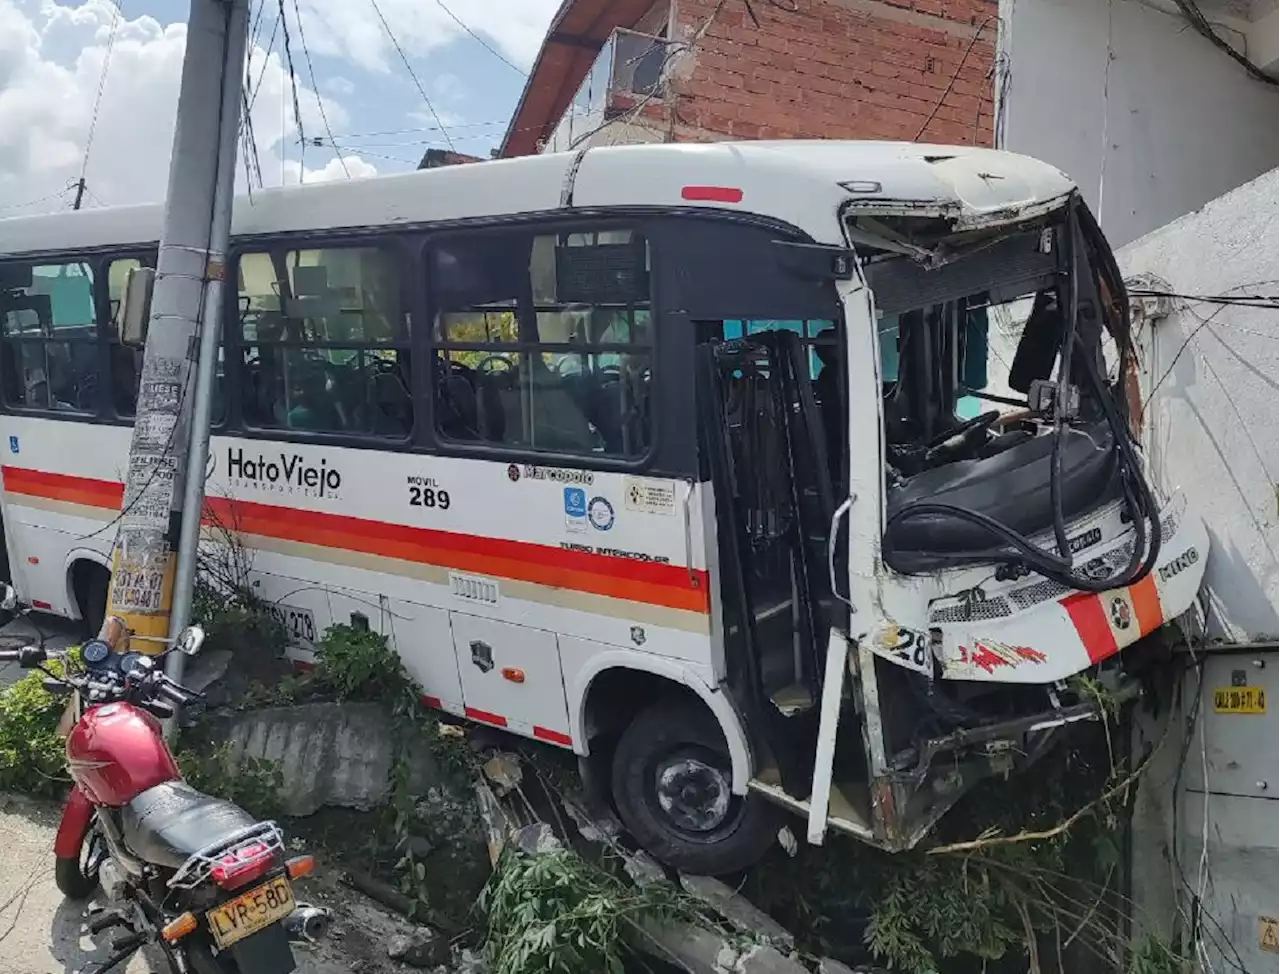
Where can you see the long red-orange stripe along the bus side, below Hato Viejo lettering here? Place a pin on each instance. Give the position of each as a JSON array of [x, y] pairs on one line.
[[668, 586]]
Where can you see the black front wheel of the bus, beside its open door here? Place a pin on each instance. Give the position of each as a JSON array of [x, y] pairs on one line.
[[673, 785]]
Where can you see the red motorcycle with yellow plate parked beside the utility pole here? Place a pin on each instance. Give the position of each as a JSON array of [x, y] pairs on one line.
[[199, 877]]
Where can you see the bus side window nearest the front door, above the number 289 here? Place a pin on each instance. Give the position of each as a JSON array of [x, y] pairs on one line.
[[546, 342]]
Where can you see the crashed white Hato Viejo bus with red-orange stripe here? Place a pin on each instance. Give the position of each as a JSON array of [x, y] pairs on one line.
[[749, 473]]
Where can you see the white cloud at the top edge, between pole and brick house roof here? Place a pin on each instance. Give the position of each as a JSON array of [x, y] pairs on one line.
[[353, 30]]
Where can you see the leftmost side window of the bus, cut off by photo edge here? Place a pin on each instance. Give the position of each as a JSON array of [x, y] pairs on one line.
[[49, 351]]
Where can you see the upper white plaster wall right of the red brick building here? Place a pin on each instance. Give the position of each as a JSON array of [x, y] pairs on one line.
[[1151, 132]]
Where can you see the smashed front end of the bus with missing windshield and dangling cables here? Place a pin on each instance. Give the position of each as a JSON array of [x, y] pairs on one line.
[[1004, 537]]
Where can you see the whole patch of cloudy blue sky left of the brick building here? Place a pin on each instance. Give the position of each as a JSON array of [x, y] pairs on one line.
[[53, 54]]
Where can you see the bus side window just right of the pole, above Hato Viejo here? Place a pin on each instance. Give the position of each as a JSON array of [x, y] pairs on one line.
[[326, 342]]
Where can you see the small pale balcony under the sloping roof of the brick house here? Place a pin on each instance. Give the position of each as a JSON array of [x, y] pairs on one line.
[[630, 68]]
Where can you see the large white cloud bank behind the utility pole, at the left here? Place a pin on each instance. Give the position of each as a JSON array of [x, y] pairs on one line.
[[51, 70]]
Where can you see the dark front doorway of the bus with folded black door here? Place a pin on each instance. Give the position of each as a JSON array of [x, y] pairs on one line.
[[772, 442]]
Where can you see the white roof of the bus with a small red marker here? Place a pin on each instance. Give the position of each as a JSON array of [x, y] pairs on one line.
[[803, 184]]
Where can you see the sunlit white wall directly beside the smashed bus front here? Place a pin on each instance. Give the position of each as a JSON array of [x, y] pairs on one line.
[[1213, 378]]
